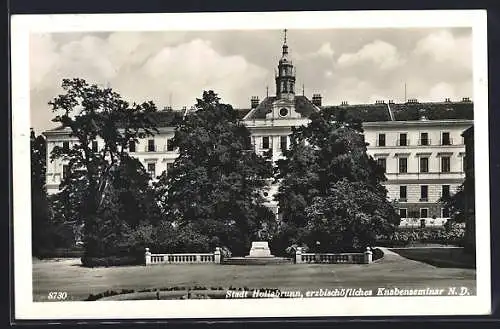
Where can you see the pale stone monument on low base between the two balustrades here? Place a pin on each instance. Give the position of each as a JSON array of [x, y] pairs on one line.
[[259, 254]]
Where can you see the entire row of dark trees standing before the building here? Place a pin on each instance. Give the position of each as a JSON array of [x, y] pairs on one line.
[[330, 194]]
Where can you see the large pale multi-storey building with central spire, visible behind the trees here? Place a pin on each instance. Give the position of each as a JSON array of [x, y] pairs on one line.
[[419, 144]]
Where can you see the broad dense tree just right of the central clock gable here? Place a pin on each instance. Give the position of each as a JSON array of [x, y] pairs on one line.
[[331, 196]]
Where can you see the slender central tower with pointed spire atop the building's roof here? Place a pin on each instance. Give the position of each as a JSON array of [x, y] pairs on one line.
[[285, 77]]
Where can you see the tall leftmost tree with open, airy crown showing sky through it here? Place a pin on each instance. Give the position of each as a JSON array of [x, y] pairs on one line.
[[91, 113]]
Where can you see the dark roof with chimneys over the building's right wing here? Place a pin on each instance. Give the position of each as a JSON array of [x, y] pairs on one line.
[[409, 111]]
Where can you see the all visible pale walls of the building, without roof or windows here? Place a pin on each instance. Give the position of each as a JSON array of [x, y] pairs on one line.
[[413, 179]]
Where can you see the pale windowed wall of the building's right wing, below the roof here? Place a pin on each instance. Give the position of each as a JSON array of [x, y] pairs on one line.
[[414, 178]]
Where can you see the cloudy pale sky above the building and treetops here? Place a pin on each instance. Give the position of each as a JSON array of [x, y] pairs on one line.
[[172, 68]]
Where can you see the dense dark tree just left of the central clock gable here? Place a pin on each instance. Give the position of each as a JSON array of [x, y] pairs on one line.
[[214, 188]]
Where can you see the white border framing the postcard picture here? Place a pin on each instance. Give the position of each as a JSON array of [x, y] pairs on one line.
[[25, 308]]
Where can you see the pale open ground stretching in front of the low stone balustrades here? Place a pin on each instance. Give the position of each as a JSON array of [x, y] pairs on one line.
[[391, 271]]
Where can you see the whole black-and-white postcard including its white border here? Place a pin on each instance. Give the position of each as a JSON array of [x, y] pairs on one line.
[[250, 164]]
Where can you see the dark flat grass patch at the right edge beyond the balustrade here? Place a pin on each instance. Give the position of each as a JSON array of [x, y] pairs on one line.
[[440, 257]]
